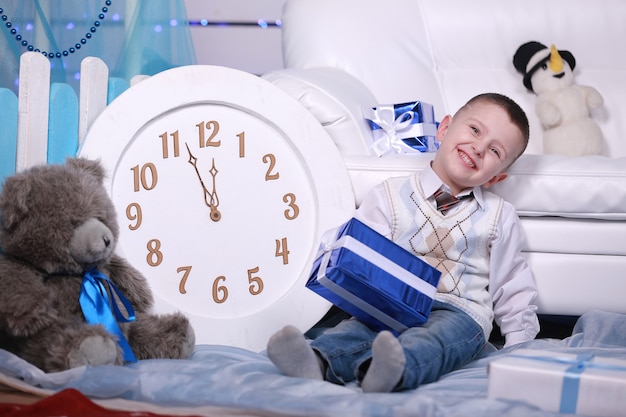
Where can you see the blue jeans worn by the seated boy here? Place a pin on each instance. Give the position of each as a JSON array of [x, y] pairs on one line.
[[447, 341]]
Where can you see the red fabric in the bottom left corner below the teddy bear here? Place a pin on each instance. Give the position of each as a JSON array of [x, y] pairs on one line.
[[67, 403]]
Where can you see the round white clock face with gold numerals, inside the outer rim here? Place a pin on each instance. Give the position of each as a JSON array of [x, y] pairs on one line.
[[220, 201]]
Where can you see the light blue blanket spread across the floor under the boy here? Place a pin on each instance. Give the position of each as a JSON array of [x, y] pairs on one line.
[[235, 378]]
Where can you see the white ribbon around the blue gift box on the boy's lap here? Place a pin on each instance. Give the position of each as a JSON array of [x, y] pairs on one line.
[[365, 252]]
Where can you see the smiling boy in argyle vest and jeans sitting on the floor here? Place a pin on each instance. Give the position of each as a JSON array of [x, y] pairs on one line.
[[474, 239]]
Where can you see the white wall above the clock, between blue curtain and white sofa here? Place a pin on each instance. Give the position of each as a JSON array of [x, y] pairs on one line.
[[249, 48]]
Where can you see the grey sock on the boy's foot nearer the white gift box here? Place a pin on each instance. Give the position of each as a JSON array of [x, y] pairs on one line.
[[387, 365]]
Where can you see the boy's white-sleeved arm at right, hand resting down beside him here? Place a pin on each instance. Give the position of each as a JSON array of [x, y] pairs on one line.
[[511, 283]]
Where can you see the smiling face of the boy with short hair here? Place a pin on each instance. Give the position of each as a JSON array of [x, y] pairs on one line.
[[477, 145]]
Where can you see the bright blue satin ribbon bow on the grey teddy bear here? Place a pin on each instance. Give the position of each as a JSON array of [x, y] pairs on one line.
[[96, 305]]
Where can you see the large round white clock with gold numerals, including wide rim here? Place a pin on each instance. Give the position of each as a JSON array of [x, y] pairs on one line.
[[223, 185]]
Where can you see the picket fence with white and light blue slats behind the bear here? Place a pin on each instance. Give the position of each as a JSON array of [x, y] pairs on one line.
[[47, 122]]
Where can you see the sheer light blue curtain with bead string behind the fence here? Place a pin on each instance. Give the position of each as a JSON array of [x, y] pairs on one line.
[[131, 36]]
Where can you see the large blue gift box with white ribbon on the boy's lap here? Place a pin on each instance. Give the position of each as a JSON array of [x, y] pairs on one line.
[[374, 279]]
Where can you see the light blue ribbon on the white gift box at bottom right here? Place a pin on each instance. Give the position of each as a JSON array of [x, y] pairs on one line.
[[571, 380]]
